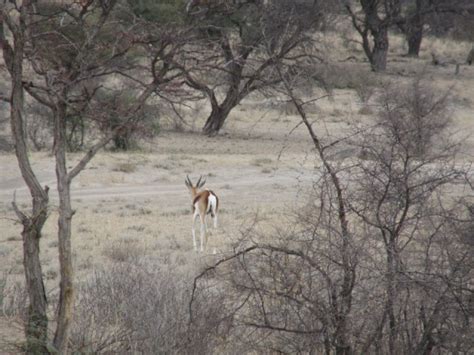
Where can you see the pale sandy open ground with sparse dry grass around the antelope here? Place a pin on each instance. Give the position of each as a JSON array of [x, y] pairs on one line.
[[257, 168]]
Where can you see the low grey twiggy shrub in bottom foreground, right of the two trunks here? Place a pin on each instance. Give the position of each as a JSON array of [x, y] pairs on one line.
[[143, 308]]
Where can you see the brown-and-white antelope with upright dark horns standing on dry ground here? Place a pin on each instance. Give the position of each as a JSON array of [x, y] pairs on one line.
[[204, 202]]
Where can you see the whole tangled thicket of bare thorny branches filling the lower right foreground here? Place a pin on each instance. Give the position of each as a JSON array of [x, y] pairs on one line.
[[377, 261]]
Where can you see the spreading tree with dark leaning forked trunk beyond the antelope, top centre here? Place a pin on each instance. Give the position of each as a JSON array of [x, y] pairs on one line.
[[234, 64]]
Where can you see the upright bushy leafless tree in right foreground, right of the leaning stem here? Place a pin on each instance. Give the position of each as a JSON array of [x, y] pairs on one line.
[[399, 200]]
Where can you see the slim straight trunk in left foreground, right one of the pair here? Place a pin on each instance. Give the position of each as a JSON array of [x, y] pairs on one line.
[[66, 295]]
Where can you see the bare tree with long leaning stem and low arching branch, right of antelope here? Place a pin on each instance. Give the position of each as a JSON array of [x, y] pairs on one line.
[[296, 293]]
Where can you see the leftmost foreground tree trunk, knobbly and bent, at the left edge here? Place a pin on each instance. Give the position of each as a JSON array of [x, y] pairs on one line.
[[36, 327]]
